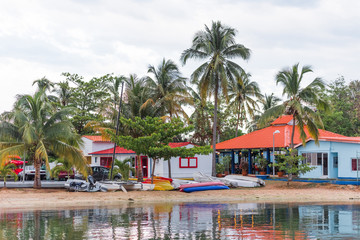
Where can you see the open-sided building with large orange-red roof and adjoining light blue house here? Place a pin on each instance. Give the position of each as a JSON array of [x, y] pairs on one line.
[[278, 135]]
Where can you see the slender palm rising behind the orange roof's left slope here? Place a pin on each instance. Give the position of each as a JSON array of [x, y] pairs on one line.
[[241, 93]]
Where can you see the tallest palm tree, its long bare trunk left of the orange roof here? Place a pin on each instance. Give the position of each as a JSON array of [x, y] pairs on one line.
[[216, 45]]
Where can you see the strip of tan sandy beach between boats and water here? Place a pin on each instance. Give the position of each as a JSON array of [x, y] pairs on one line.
[[274, 191]]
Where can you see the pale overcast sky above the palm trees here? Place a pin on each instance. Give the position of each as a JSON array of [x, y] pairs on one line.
[[92, 38]]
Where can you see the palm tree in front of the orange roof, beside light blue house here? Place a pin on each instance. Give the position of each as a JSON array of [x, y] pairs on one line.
[[300, 102]]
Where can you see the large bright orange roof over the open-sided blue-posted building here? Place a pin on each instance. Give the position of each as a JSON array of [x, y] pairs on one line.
[[263, 138]]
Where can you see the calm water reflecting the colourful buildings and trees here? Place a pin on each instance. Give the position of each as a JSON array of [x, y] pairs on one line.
[[186, 221]]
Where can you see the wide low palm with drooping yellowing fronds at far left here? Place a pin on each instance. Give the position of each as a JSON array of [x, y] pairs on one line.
[[34, 127]]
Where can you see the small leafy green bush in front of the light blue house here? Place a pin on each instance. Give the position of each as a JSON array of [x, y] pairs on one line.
[[292, 164]]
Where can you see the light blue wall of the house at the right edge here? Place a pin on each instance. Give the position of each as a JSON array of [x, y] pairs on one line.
[[345, 151]]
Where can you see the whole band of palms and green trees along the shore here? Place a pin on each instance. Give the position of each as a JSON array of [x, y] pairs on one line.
[[219, 101]]
